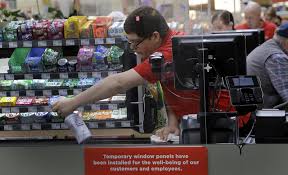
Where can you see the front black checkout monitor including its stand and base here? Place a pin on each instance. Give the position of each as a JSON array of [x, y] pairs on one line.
[[225, 55]]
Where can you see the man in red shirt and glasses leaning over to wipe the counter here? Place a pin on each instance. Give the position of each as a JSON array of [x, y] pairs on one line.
[[147, 32]]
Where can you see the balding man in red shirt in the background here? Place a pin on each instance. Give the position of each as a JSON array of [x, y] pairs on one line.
[[253, 20]]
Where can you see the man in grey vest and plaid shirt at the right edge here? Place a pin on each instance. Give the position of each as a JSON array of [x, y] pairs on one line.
[[270, 63]]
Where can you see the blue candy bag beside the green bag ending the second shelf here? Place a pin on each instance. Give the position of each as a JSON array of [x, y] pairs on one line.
[[99, 61]]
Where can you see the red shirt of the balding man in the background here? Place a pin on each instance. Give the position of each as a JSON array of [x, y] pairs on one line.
[[268, 27]]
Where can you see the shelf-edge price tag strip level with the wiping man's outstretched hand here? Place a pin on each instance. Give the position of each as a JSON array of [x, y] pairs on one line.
[[90, 107]]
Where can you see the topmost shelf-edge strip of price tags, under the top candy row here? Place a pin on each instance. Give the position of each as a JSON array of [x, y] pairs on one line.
[[63, 42]]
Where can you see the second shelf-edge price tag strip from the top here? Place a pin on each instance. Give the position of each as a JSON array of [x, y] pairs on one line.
[[55, 75]]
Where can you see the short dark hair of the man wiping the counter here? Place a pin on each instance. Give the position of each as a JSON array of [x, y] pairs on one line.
[[144, 21]]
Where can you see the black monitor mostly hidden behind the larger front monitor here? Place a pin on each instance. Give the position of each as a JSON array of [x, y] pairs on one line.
[[253, 37]]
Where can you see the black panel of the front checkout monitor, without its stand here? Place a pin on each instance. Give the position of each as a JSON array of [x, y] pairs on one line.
[[225, 54]]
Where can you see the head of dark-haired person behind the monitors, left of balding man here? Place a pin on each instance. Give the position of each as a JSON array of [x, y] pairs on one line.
[[222, 20]]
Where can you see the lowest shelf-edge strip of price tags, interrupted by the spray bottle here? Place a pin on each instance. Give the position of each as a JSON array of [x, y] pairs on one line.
[[93, 124]]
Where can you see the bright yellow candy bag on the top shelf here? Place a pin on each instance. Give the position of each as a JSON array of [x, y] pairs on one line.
[[72, 26]]
